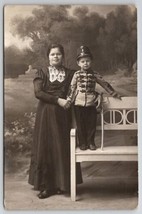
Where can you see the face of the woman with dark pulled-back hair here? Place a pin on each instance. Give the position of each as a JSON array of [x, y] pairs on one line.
[[55, 57]]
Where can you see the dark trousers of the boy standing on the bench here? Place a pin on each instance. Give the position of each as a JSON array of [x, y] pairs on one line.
[[86, 118]]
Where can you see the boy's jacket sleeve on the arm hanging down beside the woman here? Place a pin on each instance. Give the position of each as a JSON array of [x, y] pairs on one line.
[[72, 88]]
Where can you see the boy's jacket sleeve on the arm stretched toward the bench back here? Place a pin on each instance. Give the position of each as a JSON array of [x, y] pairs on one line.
[[105, 84]]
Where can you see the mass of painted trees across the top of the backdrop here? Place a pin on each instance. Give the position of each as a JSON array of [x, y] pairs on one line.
[[112, 39]]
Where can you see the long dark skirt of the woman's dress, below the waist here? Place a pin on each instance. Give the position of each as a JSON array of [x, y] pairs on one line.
[[50, 156]]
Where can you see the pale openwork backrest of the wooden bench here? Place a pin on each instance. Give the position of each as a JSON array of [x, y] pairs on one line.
[[120, 114]]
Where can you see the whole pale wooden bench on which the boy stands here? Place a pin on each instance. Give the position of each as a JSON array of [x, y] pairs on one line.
[[115, 115]]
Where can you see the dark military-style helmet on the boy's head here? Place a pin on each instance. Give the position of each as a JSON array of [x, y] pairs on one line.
[[83, 51]]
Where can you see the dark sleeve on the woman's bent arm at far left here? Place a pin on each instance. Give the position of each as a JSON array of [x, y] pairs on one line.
[[38, 89]]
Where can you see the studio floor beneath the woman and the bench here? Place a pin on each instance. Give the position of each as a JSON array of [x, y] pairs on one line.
[[109, 193]]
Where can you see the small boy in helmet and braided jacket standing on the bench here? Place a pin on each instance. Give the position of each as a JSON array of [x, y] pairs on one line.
[[83, 94]]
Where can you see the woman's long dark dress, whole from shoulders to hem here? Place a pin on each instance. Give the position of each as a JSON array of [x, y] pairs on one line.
[[50, 158]]
